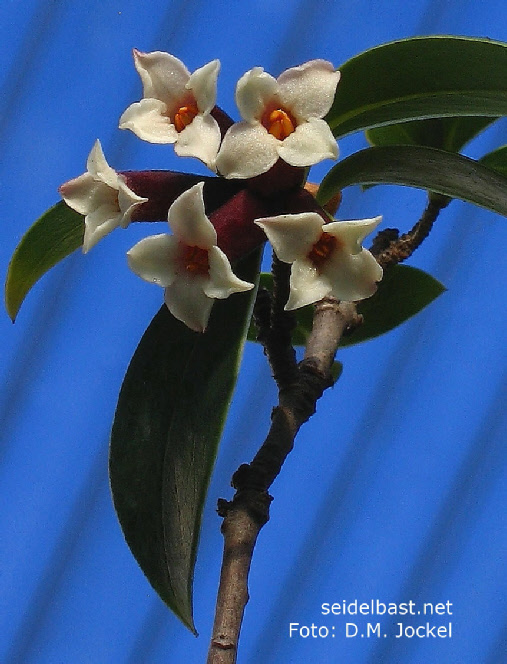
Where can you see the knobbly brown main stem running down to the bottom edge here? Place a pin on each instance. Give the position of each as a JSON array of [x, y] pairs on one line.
[[248, 511]]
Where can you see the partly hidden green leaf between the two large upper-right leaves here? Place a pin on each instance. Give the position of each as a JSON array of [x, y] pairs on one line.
[[450, 134]]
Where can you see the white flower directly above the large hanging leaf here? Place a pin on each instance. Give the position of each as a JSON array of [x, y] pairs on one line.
[[188, 264]]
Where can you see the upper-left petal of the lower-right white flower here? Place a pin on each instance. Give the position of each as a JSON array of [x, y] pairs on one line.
[[292, 235]]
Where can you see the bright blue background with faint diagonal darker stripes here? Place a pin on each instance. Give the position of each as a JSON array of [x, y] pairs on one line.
[[396, 489]]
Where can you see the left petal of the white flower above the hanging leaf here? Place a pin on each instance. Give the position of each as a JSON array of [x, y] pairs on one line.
[[154, 259]]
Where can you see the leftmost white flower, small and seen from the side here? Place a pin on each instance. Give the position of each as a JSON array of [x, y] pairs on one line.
[[102, 196]]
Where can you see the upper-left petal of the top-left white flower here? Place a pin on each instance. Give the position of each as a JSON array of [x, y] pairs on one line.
[[164, 77]]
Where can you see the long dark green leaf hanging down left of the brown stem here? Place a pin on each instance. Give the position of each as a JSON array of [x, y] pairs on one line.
[[170, 414]]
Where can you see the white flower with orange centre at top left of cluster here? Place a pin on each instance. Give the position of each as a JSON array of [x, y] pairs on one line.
[[176, 106]]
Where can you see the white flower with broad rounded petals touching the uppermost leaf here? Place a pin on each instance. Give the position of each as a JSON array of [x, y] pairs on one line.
[[282, 118]]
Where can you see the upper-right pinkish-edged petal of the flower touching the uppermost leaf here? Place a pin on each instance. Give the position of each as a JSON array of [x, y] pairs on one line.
[[309, 90]]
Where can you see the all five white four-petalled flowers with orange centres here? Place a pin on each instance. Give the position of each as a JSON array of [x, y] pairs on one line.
[[282, 119]]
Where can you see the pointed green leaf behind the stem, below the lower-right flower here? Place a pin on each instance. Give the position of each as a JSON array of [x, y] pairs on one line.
[[403, 292]]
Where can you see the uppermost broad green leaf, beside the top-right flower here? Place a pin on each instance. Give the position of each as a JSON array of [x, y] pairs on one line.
[[418, 78]]
